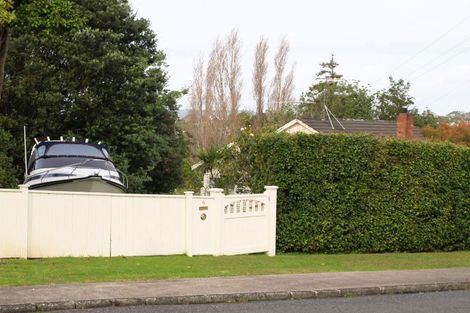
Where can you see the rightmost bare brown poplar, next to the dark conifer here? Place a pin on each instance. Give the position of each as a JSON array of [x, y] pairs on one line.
[[282, 85]]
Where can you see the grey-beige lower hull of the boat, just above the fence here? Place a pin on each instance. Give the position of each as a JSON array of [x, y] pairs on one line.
[[86, 184]]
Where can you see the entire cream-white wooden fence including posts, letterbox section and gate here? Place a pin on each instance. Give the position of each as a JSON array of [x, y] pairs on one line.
[[50, 224]]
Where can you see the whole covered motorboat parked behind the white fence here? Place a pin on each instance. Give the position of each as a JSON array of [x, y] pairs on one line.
[[73, 166]]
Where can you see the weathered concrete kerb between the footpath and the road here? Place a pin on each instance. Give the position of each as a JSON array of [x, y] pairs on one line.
[[235, 298]]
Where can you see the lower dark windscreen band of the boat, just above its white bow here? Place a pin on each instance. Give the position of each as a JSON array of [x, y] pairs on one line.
[[56, 162]]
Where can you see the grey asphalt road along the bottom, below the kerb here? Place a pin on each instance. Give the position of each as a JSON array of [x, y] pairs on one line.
[[438, 302]]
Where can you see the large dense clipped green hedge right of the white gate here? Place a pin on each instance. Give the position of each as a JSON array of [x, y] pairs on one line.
[[344, 193]]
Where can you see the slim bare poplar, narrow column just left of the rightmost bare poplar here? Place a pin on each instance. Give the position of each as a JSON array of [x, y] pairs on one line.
[[260, 70]]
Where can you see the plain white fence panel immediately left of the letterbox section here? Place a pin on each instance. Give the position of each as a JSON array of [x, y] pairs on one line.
[[148, 225]]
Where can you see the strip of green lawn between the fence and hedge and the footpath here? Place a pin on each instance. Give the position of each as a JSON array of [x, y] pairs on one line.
[[75, 270]]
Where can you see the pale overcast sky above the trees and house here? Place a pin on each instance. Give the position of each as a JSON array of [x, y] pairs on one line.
[[425, 42]]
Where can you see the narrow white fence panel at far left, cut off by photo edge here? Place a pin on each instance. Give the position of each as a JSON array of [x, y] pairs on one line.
[[13, 223]]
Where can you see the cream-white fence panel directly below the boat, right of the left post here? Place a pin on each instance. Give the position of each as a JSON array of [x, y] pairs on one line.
[[69, 224]]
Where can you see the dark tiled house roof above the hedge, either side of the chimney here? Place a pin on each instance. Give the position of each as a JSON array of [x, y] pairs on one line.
[[375, 127]]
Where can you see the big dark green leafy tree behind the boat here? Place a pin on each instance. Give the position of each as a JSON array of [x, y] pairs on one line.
[[97, 73]]
